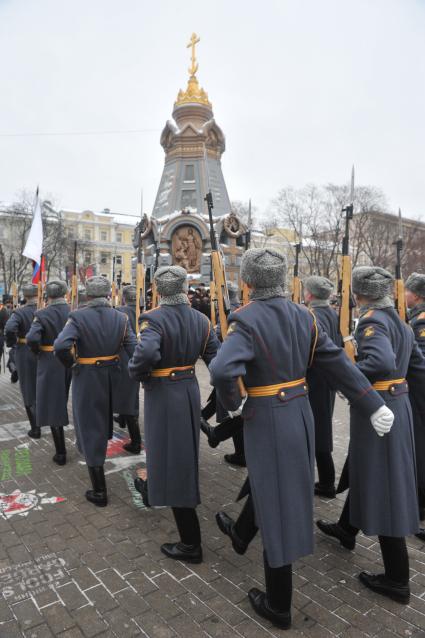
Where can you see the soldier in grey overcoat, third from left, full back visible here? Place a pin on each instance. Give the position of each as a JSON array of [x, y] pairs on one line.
[[91, 343]]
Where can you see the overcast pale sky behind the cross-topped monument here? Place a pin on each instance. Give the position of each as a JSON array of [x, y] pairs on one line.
[[301, 88]]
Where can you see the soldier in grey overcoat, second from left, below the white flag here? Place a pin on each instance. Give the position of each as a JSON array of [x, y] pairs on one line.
[[53, 380]]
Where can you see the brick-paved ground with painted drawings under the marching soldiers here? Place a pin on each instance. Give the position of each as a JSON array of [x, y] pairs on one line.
[[72, 570]]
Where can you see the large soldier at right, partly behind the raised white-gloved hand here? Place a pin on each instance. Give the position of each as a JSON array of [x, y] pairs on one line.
[[382, 484]]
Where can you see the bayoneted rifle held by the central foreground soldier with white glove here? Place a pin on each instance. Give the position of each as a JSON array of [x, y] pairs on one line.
[[221, 294]]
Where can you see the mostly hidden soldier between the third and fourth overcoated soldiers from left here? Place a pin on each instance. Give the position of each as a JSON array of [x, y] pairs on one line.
[[127, 396]]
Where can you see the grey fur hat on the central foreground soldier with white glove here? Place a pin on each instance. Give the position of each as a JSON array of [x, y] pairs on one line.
[[264, 268]]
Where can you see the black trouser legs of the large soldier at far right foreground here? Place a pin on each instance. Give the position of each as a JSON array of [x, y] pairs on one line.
[[393, 549]]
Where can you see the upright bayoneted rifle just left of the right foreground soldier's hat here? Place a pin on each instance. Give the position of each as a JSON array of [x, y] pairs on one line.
[[347, 302]]
